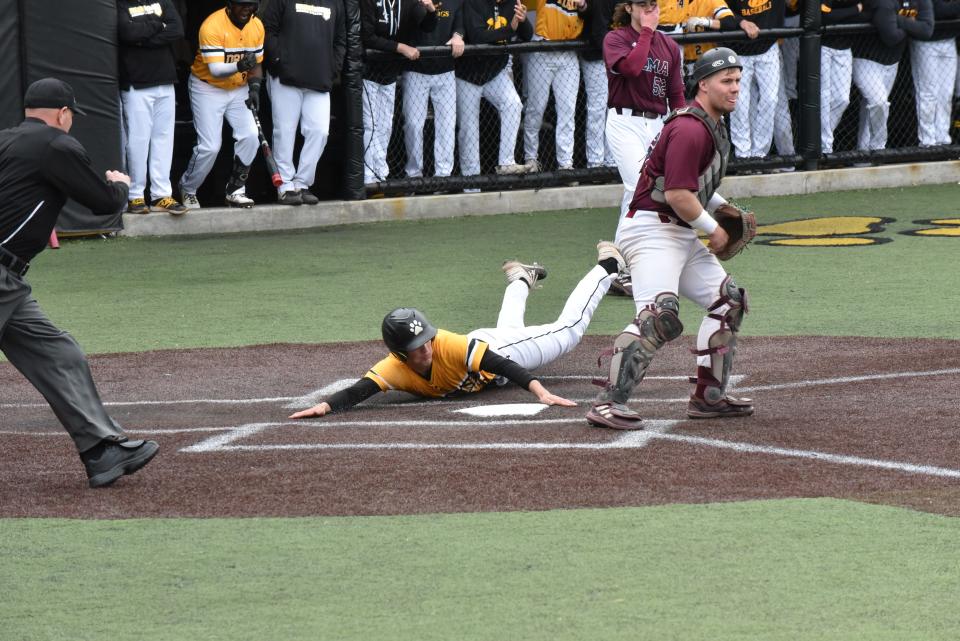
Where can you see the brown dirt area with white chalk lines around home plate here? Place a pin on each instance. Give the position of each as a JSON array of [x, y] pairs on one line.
[[859, 418]]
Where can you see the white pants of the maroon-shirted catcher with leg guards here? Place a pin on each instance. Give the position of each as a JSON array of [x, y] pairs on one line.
[[665, 257]]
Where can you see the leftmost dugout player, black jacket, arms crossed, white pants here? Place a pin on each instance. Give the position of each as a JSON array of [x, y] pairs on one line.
[[146, 30]]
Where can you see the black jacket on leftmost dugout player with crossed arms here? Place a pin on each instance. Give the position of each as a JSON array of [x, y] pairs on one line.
[[145, 43]]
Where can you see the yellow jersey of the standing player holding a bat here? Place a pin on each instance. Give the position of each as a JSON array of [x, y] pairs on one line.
[[222, 41]]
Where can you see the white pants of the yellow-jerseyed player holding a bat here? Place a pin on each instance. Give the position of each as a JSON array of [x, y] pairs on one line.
[[210, 106]]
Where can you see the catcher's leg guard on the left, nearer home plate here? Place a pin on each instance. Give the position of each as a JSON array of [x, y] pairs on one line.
[[632, 354]]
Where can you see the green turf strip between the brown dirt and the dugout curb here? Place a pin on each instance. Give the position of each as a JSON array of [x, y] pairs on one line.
[[134, 294]]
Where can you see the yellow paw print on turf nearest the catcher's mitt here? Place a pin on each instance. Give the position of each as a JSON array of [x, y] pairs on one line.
[[832, 231]]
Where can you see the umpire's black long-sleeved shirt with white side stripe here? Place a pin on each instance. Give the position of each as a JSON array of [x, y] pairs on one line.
[[40, 167]]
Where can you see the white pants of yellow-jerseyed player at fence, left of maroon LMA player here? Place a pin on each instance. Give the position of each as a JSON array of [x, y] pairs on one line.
[[541, 71]]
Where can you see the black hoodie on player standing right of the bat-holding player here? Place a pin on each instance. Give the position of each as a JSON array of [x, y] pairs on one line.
[[305, 42]]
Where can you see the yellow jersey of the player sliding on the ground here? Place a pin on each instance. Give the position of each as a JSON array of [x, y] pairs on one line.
[[456, 368]]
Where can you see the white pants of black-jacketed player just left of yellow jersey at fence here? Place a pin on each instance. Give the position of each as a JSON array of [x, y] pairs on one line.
[[501, 93]]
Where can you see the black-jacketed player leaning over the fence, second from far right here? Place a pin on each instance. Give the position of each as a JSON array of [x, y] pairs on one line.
[[876, 59]]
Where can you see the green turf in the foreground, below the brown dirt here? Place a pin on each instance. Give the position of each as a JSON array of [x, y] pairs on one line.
[[797, 569]]
